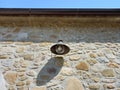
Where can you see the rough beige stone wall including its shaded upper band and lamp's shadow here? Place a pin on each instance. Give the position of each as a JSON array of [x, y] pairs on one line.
[[93, 62]]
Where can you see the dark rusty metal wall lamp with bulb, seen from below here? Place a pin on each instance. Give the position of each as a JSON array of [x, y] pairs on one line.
[[60, 48]]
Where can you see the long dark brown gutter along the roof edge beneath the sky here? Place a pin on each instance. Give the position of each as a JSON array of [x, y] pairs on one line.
[[58, 12]]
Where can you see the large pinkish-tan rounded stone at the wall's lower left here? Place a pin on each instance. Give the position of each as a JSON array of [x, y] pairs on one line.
[[11, 77]]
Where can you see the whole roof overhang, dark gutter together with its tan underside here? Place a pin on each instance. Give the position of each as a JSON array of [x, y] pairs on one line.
[[109, 18]]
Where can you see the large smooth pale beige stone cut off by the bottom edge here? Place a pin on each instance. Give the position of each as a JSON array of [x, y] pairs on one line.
[[74, 84]]
